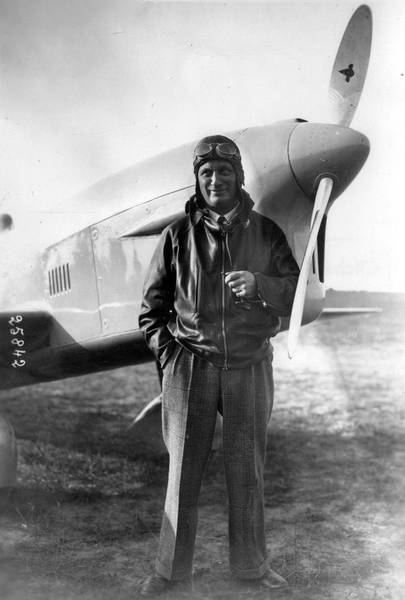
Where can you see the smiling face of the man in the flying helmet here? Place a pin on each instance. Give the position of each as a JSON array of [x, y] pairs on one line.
[[218, 185]]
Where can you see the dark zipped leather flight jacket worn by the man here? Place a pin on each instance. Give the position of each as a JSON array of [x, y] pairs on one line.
[[187, 301]]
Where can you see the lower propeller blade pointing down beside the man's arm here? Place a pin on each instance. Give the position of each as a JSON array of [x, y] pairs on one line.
[[321, 202]]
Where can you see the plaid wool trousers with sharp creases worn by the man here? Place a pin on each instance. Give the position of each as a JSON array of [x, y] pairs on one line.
[[193, 392]]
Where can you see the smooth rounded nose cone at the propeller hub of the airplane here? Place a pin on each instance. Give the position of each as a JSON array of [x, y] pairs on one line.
[[317, 150]]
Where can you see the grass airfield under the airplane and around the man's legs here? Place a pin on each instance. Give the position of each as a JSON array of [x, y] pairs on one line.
[[83, 522]]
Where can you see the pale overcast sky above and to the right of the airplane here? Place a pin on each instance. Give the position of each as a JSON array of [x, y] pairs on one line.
[[92, 86]]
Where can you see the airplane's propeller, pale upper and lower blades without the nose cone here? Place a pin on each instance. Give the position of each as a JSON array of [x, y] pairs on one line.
[[345, 87]]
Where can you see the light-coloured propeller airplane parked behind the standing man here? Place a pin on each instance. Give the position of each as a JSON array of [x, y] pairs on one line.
[[74, 310]]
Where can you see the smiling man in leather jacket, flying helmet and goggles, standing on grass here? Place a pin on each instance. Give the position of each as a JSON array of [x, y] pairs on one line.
[[218, 282]]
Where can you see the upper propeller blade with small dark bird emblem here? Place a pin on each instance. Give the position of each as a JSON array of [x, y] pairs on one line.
[[350, 67]]
